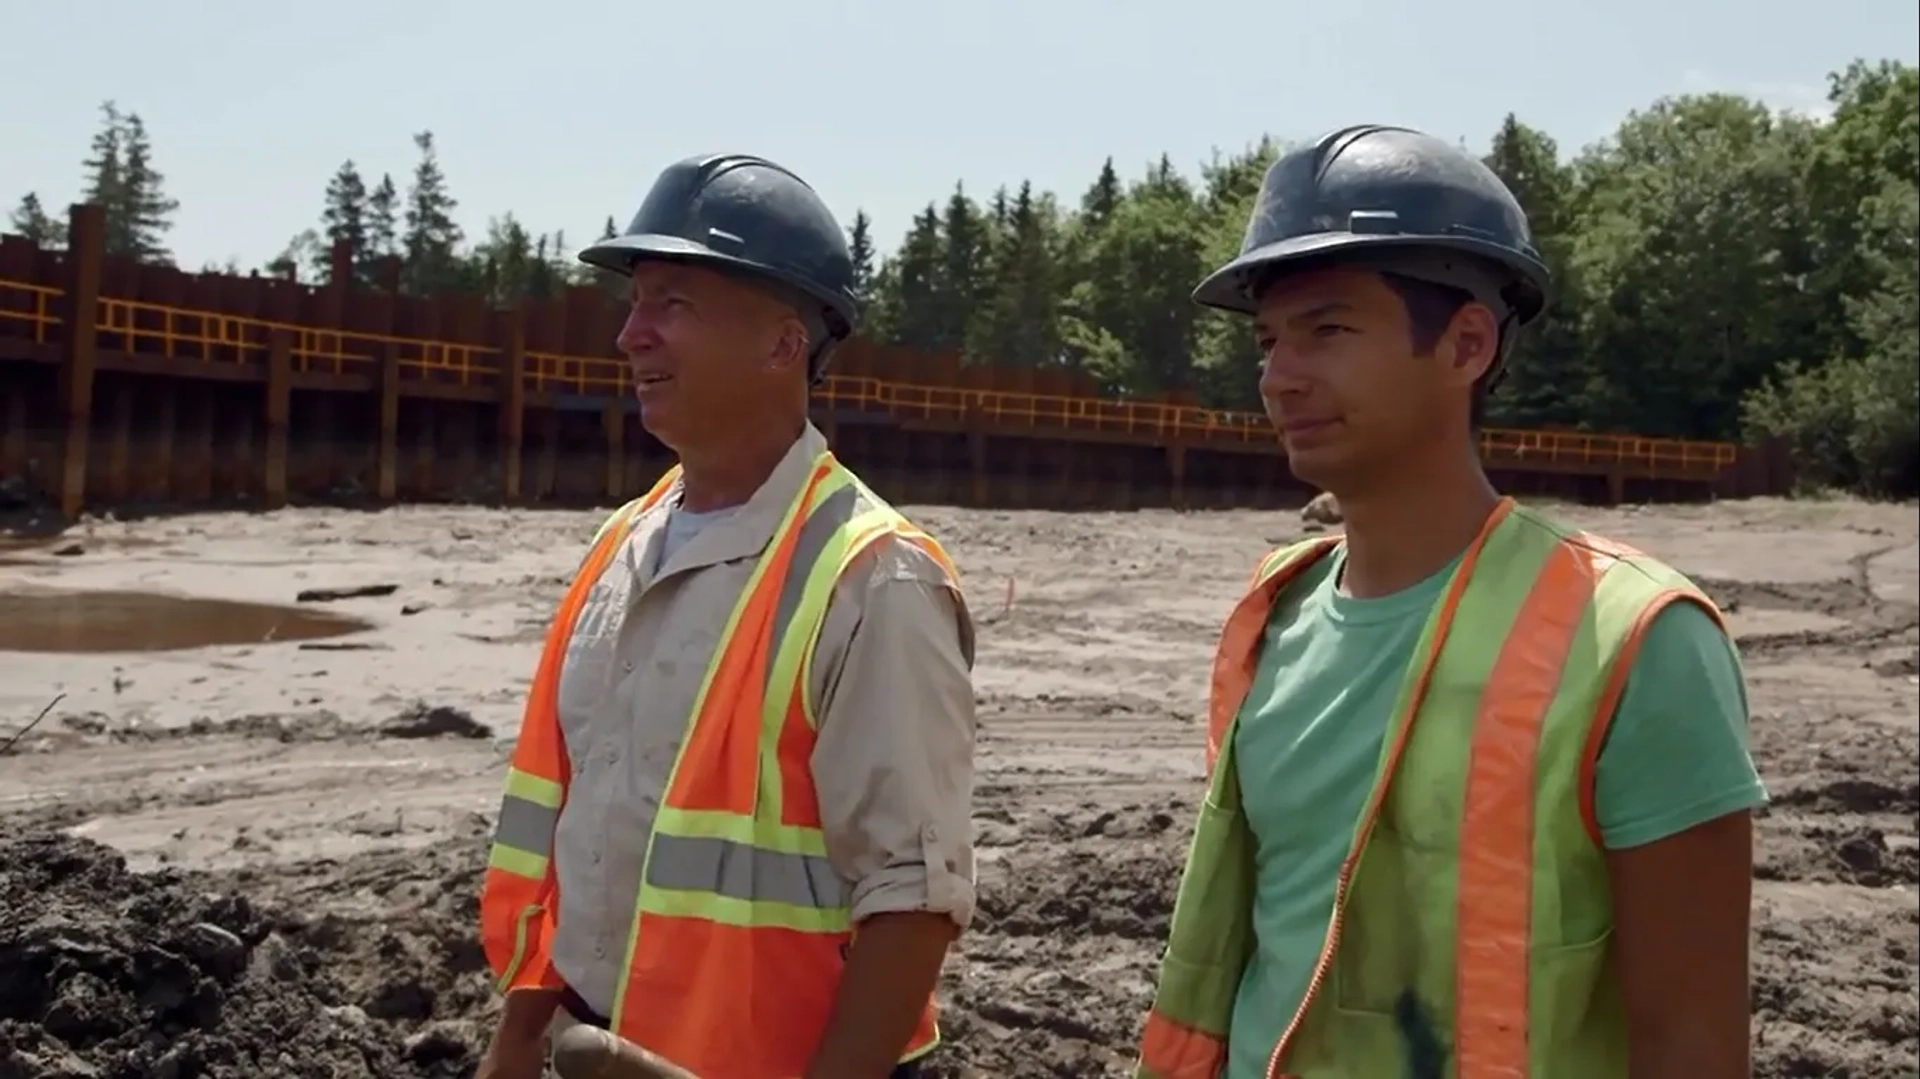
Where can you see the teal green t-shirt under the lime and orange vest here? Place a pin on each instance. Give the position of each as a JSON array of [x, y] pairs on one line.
[[1310, 736]]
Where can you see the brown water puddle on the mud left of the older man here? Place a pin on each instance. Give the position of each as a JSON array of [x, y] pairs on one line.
[[153, 623]]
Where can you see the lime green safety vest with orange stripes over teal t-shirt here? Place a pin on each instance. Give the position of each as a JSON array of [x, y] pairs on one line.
[[1476, 882]]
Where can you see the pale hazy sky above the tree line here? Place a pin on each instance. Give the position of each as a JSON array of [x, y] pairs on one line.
[[565, 110]]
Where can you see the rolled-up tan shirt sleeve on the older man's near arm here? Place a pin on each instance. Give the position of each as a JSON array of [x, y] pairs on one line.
[[894, 763]]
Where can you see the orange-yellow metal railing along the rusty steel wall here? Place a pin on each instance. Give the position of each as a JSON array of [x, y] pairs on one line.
[[214, 337]]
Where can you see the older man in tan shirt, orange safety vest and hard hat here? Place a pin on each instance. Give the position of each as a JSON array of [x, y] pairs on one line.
[[738, 291]]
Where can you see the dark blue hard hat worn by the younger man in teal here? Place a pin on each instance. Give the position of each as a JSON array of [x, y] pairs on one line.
[[1397, 201]]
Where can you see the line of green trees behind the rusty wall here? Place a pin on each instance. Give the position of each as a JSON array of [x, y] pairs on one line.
[[1723, 270]]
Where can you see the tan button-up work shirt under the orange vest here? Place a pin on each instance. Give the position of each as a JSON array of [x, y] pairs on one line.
[[892, 688]]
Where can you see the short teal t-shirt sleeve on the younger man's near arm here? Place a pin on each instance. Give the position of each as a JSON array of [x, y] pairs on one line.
[[1677, 754]]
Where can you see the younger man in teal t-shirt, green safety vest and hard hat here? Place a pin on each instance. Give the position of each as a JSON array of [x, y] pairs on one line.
[[1387, 276]]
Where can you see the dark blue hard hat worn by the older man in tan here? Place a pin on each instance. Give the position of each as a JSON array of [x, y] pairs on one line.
[[752, 218]]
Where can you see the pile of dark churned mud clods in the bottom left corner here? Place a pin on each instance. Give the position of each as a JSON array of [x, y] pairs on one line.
[[114, 974]]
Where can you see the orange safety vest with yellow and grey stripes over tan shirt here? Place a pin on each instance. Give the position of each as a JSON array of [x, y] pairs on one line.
[[742, 926]]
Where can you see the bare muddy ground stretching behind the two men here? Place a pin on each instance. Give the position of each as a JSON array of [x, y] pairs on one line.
[[260, 857]]
